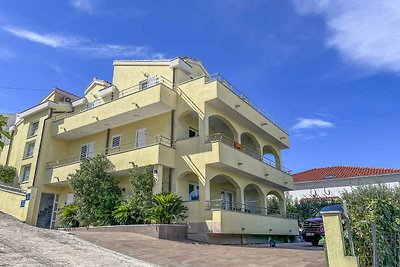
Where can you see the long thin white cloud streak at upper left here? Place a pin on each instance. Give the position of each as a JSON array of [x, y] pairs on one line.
[[85, 46]]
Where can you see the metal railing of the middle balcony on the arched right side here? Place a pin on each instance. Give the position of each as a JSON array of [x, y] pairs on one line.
[[228, 141]]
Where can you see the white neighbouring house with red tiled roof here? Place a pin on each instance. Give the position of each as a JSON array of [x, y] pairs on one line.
[[331, 181]]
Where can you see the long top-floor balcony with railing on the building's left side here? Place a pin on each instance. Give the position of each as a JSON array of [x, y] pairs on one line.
[[123, 107]]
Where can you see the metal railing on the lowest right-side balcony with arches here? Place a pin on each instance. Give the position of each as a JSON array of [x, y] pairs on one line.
[[220, 204]]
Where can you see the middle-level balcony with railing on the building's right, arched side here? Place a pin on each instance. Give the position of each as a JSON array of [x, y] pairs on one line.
[[229, 154]]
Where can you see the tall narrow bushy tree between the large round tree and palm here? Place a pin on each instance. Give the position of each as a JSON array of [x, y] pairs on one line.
[[142, 182]]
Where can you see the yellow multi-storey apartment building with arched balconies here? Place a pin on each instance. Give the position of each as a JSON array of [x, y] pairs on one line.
[[205, 139]]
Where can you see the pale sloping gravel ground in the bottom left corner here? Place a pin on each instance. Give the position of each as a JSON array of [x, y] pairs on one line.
[[25, 245]]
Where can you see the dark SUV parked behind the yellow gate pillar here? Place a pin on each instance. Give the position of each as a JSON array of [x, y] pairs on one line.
[[313, 228]]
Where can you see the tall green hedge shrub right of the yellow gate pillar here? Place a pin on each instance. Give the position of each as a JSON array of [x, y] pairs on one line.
[[379, 204]]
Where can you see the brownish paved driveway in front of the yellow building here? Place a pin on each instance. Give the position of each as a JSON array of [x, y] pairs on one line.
[[174, 253]]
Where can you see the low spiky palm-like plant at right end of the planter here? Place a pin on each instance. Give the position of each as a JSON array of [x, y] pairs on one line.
[[166, 207]]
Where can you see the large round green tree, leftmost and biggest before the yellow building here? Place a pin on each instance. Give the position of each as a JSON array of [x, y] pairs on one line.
[[96, 192]]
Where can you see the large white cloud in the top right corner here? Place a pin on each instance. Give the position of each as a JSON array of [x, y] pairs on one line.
[[364, 32]]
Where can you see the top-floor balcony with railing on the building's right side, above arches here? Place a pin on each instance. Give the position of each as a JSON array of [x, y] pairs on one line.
[[231, 100]]
